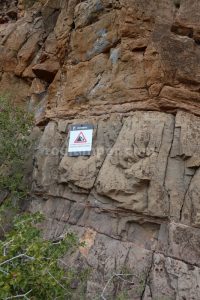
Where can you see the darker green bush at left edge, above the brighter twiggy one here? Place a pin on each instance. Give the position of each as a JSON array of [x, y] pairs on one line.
[[15, 125]]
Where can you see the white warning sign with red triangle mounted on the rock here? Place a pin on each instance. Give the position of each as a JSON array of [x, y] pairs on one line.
[[80, 140]]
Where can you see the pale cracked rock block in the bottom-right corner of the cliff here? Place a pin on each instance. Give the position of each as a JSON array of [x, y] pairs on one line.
[[173, 279]]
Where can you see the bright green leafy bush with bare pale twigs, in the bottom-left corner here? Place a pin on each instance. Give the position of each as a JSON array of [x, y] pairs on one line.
[[29, 265]]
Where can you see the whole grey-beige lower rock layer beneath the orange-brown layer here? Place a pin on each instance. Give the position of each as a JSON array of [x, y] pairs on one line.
[[135, 201]]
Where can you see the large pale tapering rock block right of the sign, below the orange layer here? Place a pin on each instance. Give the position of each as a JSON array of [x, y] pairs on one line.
[[136, 169]]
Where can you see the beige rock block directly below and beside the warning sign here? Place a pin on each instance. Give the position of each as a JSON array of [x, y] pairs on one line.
[[83, 171]]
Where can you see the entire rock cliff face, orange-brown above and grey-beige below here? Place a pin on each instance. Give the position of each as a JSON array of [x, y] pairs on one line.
[[130, 68]]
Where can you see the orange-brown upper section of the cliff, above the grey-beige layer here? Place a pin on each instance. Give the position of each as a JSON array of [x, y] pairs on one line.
[[103, 57]]
